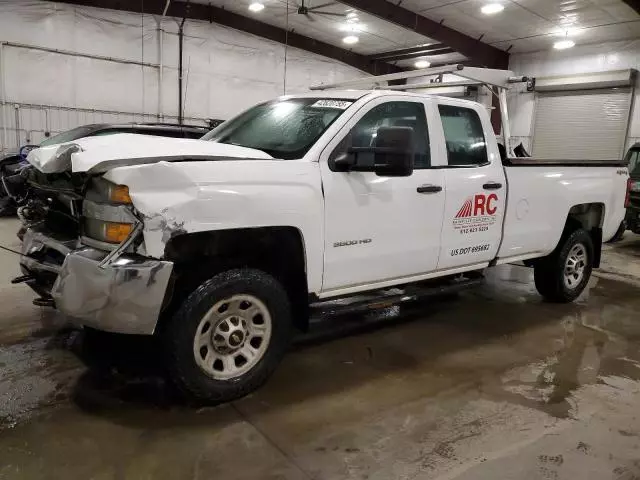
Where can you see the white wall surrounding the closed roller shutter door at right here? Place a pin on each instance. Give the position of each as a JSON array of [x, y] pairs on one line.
[[578, 60]]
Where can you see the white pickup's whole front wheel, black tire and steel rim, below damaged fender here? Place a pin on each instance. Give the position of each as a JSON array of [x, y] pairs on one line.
[[229, 335]]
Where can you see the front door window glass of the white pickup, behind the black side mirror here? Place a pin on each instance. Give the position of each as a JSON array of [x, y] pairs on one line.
[[391, 114]]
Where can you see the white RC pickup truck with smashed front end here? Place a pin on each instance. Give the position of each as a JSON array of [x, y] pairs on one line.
[[219, 246]]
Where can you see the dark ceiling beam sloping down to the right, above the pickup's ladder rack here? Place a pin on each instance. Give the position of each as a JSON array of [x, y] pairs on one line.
[[468, 46]]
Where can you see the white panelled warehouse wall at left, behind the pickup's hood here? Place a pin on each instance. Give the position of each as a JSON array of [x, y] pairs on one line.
[[94, 65]]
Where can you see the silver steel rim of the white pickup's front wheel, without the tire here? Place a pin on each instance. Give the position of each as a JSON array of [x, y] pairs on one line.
[[232, 337]]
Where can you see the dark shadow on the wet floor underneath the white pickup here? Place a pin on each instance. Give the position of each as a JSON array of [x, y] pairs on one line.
[[337, 355]]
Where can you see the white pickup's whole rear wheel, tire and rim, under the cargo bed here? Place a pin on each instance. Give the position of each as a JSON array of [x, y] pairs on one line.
[[564, 274]]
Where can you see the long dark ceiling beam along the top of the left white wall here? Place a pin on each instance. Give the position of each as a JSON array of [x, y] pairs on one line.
[[210, 13]]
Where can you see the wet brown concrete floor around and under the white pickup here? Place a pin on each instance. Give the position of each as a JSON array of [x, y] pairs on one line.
[[492, 384]]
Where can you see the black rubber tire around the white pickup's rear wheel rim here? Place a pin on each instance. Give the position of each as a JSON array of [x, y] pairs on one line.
[[549, 273]]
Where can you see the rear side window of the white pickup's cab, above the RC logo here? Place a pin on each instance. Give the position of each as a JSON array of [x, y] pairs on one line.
[[464, 135]]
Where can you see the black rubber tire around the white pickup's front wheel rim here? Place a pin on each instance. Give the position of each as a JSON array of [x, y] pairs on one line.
[[182, 328]]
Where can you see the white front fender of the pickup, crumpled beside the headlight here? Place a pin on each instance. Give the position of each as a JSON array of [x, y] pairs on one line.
[[204, 196]]
